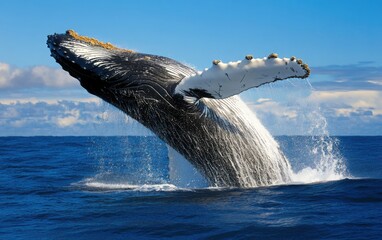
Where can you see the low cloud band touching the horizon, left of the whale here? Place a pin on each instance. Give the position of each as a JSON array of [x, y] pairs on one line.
[[54, 117]]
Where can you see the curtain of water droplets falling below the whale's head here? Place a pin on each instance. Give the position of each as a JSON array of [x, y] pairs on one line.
[[127, 161]]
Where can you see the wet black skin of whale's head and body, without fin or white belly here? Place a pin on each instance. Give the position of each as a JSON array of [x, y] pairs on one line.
[[142, 86]]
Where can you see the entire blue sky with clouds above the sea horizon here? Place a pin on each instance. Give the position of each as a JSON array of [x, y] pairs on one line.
[[339, 40]]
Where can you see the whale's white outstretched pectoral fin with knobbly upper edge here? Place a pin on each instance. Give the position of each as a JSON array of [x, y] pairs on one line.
[[223, 80]]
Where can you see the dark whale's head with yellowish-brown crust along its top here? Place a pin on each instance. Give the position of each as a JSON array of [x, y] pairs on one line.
[[116, 74]]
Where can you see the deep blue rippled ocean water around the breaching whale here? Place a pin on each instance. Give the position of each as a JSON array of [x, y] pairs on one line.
[[117, 188]]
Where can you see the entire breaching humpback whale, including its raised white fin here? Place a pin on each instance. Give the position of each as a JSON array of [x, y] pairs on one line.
[[197, 113]]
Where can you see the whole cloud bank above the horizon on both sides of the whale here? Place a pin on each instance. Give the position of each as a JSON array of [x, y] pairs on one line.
[[344, 100]]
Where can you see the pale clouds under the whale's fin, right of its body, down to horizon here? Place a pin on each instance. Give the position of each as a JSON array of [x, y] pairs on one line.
[[357, 112]]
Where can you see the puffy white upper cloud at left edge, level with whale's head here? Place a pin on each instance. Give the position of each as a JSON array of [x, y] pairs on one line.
[[38, 76]]
